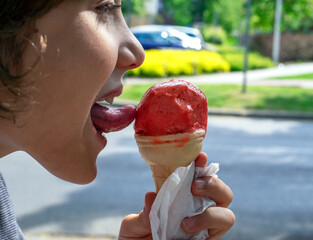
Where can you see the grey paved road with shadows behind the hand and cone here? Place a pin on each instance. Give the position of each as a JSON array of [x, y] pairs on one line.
[[267, 163]]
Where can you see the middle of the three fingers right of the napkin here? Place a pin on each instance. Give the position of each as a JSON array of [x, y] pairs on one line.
[[213, 188]]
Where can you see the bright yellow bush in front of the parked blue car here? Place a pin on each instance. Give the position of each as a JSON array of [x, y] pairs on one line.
[[163, 63]]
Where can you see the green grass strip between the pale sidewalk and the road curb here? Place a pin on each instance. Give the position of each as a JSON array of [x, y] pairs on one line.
[[256, 98]]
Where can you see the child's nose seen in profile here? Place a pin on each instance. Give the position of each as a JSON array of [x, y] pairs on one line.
[[131, 54]]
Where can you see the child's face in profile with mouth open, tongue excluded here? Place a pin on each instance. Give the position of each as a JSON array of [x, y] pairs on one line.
[[88, 49]]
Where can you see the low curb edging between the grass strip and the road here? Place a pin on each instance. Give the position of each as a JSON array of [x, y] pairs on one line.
[[239, 112]]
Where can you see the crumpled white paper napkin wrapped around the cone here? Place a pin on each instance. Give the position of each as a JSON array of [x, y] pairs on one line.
[[175, 202]]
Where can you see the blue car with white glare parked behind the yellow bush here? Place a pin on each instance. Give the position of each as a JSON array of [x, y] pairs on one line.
[[165, 36]]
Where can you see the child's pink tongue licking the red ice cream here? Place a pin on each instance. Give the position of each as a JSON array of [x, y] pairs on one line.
[[111, 120]]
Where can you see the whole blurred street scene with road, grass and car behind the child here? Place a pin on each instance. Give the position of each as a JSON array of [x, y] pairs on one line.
[[254, 62]]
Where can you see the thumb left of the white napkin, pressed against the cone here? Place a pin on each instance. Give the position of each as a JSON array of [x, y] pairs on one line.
[[138, 225]]
